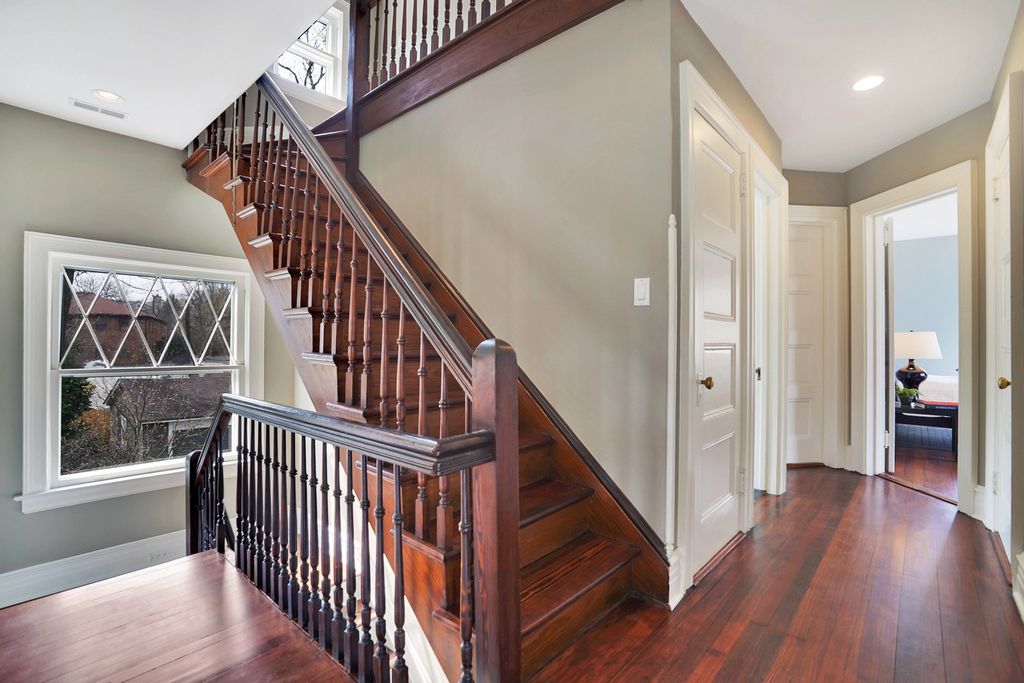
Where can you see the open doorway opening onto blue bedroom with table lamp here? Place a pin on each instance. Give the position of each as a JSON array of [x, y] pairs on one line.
[[923, 346]]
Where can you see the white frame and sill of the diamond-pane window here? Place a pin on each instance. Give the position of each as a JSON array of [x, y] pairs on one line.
[[46, 259]]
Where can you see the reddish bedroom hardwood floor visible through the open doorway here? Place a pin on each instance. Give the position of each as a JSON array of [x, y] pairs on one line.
[[925, 458]]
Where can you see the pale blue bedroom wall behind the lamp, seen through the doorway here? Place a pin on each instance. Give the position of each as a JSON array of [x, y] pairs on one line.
[[925, 298]]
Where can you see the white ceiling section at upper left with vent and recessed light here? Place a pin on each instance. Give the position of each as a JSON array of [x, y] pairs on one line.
[[178, 64]]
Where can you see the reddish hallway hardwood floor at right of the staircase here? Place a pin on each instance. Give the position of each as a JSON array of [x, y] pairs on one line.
[[844, 578]]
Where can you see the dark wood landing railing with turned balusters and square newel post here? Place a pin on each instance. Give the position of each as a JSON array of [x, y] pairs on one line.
[[310, 491]]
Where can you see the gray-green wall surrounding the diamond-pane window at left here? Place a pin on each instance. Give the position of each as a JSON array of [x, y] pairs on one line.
[[69, 180]]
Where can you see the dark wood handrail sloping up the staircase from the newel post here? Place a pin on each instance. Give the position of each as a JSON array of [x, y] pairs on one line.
[[424, 310]]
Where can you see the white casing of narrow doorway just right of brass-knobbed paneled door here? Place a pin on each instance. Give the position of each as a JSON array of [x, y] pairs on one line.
[[766, 178]]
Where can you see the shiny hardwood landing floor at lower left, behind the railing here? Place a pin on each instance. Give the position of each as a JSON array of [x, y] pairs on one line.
[[194, 619]]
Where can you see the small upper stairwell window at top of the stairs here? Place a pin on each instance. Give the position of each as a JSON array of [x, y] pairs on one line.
[[316, 64]]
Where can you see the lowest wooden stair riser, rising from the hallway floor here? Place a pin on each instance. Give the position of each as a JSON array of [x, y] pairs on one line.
[[548, 641]]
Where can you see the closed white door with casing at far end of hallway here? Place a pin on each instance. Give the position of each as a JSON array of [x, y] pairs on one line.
[[817, 375]]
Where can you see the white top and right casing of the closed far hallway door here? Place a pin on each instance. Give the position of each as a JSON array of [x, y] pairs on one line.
[[835, 340]]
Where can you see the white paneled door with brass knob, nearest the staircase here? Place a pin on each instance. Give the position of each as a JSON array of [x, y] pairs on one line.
[[718, 239]]
